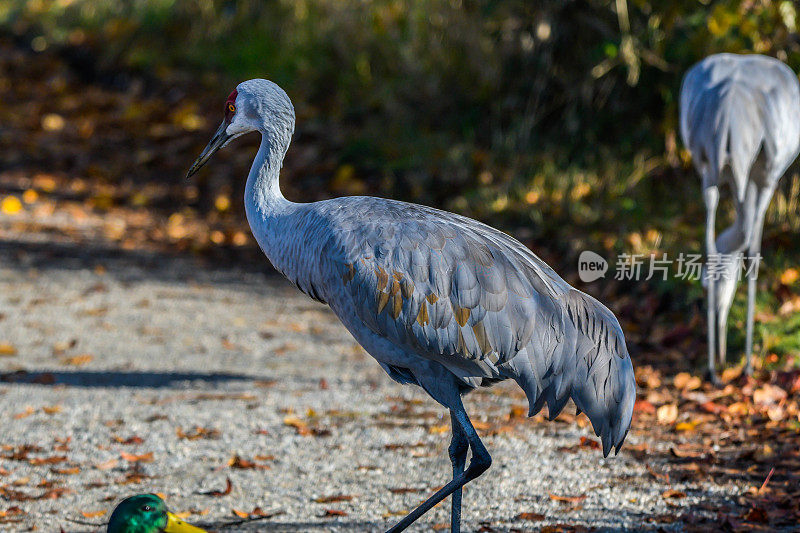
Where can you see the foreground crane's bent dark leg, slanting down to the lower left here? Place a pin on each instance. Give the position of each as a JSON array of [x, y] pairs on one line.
[[480, 462]]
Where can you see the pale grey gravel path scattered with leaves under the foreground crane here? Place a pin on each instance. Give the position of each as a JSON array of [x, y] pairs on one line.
[[137, 372]]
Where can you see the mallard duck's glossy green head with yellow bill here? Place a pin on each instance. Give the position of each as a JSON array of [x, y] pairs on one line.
[[146, 513]]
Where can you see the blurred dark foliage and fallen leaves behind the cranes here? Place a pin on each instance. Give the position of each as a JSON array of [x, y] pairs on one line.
[[555, 120]]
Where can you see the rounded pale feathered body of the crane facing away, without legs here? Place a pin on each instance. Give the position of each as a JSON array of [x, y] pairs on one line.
[[735, 108]]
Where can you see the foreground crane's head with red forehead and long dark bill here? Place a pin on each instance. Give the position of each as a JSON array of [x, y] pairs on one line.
[[254, 105]]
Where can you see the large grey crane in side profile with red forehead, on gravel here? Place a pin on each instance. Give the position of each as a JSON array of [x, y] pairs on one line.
[[439, 300]]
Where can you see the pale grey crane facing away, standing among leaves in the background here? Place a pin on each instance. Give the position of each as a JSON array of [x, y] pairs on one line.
[[740, 118]]
